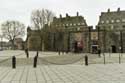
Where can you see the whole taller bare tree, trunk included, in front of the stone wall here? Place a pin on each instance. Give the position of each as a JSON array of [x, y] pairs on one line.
[[39, 19]]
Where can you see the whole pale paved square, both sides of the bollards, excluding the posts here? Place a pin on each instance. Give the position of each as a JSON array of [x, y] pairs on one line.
[[77, 72]]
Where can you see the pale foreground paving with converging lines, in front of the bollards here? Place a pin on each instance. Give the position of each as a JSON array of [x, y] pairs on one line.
[[111, 73]]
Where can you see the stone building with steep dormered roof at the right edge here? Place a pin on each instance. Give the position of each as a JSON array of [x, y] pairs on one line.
[[111, 31]]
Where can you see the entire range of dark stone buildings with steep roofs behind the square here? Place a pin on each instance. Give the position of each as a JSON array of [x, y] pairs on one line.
[[72, 33]]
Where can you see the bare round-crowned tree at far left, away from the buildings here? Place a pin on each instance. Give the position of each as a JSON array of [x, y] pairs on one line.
[[12, 30]]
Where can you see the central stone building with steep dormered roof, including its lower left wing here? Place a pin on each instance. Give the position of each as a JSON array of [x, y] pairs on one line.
[[70, 33]]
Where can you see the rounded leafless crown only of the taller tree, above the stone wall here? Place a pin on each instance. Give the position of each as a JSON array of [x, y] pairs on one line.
[[41, 17]]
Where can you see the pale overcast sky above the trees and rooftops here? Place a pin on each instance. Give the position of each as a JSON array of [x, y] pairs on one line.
[[21, 9]]
